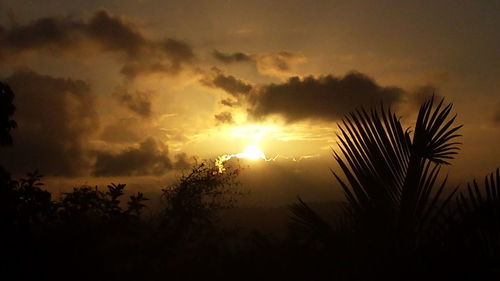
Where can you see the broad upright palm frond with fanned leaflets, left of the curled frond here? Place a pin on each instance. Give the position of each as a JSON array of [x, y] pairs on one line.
[[375, 151]]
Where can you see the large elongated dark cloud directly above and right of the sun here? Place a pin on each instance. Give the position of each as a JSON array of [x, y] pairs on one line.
[[325, 97]]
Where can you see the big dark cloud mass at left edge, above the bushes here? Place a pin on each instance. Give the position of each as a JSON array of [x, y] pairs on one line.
[[56, 118]]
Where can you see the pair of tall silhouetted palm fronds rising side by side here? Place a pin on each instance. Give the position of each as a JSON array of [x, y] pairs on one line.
[[390, 173]]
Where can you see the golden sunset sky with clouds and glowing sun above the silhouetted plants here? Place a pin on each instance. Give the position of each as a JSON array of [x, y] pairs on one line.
[[136, 91]]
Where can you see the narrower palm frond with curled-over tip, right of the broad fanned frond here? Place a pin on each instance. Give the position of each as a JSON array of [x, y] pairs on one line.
[[432, 143]]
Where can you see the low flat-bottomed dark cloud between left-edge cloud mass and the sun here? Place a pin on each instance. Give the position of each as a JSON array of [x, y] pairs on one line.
[[150, 158]]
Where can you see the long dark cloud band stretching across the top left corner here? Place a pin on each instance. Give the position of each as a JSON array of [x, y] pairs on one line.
[[103, 32]]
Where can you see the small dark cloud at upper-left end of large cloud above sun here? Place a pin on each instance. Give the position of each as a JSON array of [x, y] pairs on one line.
[[228, 83]]
